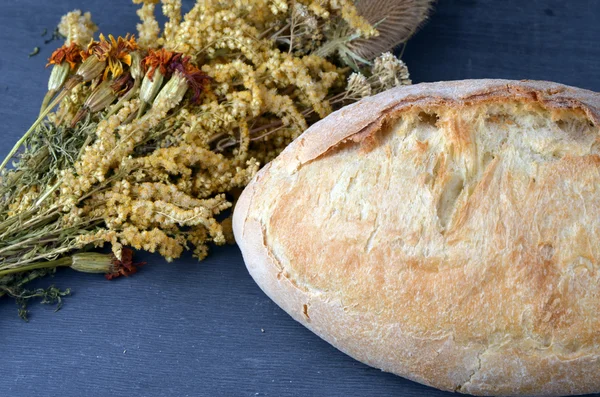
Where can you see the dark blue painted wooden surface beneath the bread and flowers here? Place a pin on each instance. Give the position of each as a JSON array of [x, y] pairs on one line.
[[190, 328]]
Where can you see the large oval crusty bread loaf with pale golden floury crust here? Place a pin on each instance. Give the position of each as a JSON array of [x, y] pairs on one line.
[[446, 232]]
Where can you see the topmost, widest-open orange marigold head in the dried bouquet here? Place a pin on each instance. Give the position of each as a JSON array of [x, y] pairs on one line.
[[115, 52]]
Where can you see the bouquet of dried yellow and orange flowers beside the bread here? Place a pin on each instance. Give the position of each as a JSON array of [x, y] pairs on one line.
[[145, 142]]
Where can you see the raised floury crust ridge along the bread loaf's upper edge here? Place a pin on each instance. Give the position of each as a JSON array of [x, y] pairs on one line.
[[369, 114]]
